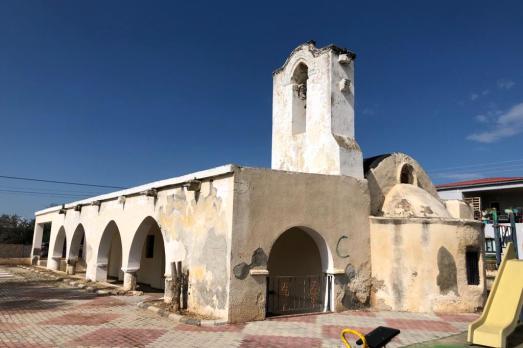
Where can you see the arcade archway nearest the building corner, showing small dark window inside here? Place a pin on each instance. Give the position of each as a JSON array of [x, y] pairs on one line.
[[147, 255]]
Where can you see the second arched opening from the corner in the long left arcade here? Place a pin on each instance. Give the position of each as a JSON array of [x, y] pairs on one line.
[[109, 259]]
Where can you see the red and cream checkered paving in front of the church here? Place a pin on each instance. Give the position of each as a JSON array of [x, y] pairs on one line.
[[39, 312]]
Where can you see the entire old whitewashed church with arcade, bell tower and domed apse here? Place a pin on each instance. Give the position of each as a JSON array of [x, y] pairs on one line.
[[322, 230]]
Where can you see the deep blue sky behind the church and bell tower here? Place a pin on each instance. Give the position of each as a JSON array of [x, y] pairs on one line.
[[123, 92]]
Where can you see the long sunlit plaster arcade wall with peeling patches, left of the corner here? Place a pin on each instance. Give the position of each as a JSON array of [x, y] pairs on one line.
[[195, 228]]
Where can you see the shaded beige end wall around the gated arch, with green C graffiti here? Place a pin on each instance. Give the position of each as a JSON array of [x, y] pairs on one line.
[[267, 203]]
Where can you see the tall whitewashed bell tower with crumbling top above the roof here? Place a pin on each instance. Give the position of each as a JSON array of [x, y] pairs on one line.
[[313, 113]]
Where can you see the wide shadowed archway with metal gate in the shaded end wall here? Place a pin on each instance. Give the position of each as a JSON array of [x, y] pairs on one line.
[[297, 281]]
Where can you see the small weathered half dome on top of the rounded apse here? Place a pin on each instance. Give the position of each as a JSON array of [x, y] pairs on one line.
[[405, 200]]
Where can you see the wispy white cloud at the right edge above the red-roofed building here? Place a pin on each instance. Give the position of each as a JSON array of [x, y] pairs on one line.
[[506, 125]]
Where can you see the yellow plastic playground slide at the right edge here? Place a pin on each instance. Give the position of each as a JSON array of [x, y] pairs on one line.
[[501, 313]]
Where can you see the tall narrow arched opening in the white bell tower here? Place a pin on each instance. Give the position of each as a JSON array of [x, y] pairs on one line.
[[299, 80]]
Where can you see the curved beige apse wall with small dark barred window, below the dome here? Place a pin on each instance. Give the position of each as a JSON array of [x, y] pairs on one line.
[[418, 264]]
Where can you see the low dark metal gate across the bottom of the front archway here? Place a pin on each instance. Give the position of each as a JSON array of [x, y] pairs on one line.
[[295, 294]]
